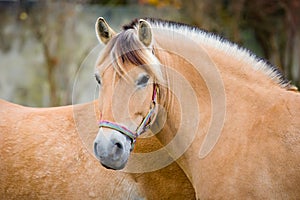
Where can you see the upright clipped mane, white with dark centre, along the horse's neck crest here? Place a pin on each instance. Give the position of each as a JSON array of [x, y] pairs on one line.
[[214, 40]]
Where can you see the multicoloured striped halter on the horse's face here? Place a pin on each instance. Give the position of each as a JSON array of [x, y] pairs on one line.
[[144, 125]]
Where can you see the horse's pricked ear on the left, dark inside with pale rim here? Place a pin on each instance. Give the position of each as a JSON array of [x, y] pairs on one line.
[[103, 31]]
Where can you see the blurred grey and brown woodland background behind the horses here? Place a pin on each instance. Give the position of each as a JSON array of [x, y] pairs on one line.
[[44, 43]]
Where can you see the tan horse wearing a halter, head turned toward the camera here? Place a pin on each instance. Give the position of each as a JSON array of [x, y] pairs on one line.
[[228, 118]]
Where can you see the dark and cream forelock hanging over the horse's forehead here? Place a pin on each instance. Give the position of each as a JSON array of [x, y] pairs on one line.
[[126, 48]]
